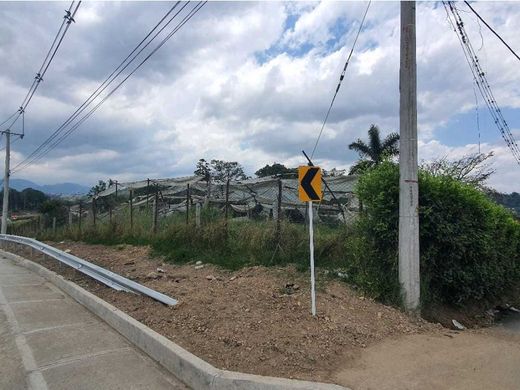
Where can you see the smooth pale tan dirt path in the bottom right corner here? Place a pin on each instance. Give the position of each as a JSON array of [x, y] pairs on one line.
[[477, 360]]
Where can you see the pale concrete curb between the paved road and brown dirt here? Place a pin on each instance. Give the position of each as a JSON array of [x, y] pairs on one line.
[[193, 371]]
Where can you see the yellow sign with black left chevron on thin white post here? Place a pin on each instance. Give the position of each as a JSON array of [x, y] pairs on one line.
[[309, 190]]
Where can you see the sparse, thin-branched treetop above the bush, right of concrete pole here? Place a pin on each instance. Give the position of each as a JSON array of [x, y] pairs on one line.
[[472, 169]]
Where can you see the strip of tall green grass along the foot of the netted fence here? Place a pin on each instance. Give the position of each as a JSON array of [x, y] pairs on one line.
[[232, 245]]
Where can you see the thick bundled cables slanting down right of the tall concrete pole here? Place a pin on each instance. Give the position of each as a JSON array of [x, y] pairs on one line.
[[480, 79]]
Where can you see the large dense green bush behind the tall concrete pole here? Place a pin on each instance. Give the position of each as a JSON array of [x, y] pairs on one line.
[[469, 245]]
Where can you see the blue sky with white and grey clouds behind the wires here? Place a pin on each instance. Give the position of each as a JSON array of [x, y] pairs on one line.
[[250, 82]]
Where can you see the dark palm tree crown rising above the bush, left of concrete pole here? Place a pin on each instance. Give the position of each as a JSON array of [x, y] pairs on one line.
[[376, 151]]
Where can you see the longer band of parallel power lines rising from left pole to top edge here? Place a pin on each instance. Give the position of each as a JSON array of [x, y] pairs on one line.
[[48, 147]]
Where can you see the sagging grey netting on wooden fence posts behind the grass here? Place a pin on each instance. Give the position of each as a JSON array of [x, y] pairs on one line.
[[264, 198]]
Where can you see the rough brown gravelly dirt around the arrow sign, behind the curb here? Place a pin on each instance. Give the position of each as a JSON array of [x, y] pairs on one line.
[[255, 320]]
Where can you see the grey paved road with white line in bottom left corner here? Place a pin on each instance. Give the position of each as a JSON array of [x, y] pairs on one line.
[[48, 341]]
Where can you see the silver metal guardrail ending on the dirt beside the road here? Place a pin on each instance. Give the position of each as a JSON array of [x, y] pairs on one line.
[[109, 278]]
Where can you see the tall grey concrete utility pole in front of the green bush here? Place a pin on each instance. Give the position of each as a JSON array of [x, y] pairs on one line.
[[409, 276]]
